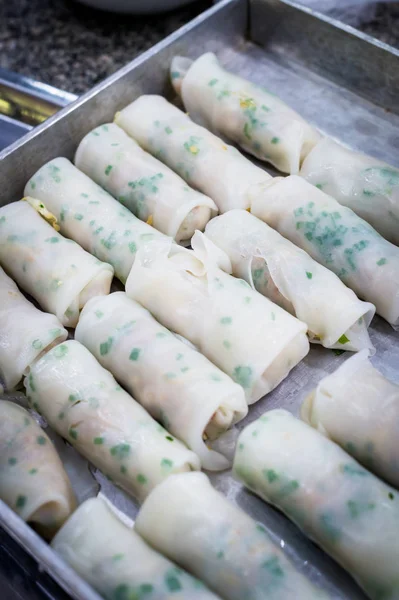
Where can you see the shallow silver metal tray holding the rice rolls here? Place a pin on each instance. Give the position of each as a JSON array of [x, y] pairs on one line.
[[343, 82]]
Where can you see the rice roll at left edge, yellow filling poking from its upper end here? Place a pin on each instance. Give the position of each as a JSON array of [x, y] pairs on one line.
[[57, 272]]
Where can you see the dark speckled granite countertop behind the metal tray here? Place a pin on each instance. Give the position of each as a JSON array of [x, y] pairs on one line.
[[72, 47]]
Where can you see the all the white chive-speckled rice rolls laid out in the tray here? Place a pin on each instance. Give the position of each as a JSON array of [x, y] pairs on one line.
[[159, 370]]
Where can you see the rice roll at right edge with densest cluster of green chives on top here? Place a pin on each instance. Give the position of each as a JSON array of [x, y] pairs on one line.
[[336, 237]]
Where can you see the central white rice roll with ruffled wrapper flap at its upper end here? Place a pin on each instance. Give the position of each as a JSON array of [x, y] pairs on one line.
[[251, 339]]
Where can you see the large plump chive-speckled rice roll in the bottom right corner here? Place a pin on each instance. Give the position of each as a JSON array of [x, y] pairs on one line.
[[342, 507]]
